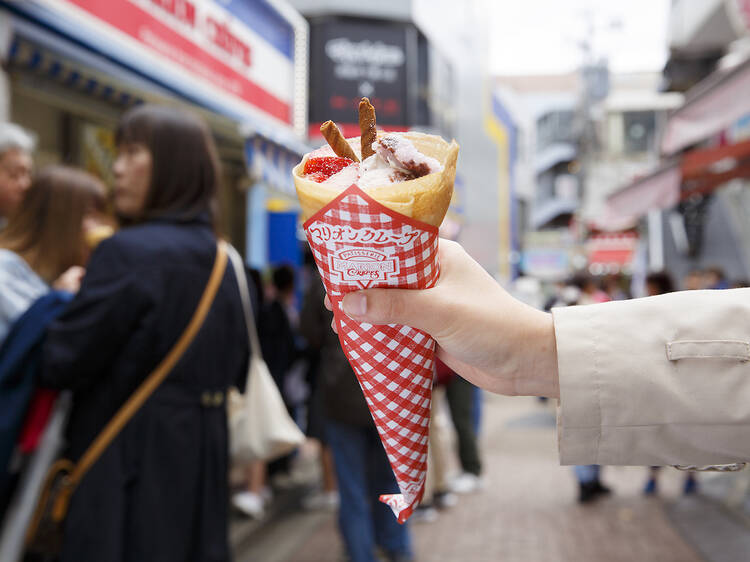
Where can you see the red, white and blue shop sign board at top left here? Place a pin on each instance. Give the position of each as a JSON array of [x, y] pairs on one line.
[[235, 53]]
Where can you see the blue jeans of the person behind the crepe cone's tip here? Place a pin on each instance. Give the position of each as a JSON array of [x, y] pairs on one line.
[[363, 473]]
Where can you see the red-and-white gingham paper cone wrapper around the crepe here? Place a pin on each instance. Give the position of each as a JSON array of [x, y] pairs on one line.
[[357, 244]]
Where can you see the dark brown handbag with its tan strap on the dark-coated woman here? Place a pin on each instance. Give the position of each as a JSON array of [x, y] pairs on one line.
[[45, 532]]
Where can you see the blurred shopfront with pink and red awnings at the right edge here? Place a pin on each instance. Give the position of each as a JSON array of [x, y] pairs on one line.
[[697, 200]]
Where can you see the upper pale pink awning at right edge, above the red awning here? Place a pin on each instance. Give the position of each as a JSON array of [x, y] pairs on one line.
[[710, 107]]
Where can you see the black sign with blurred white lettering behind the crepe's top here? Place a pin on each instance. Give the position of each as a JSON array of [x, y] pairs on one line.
[[350, 60]]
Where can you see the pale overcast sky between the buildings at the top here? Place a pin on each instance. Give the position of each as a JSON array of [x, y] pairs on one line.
[[543, 36]]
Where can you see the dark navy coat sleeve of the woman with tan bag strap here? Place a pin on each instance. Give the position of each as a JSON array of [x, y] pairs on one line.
[[86, 340]]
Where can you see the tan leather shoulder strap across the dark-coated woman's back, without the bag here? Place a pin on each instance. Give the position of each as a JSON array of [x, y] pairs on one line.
[[158, 375]]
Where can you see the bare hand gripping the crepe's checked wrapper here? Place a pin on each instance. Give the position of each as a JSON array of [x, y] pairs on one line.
[[485, 335]]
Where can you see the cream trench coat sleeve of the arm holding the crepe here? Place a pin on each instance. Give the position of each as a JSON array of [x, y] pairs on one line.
[[656, 381]]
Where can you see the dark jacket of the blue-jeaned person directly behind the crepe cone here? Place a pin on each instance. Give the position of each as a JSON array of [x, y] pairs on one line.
[[343, 400]]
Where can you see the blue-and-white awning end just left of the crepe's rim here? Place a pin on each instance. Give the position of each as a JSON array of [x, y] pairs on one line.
[[271, 163]]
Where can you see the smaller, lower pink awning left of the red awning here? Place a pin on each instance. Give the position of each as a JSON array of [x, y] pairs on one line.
[[658, 190]]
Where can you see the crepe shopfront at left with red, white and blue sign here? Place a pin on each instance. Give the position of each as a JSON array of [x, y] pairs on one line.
[[73, 67]]
